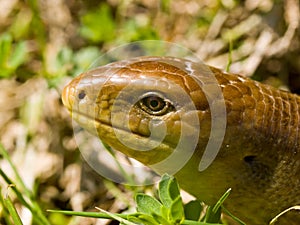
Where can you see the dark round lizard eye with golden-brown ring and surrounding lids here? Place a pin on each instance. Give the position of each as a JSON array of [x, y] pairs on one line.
[[155, 105]]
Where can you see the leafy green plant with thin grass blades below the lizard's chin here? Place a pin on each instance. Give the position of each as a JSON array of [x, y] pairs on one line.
[[167, 209]]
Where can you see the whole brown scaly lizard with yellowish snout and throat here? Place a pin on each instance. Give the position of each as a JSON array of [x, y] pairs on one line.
[[258, 156]]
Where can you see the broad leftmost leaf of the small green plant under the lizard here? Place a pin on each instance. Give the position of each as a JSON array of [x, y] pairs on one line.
[[147, 204]]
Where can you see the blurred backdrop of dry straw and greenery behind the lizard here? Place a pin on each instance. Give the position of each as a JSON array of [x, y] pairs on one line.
[[45, 43]]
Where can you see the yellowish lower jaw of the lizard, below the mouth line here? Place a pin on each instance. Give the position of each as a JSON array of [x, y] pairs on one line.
[[161, 156]]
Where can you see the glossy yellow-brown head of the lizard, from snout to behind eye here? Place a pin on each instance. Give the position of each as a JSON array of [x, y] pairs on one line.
[[146, 113]]
